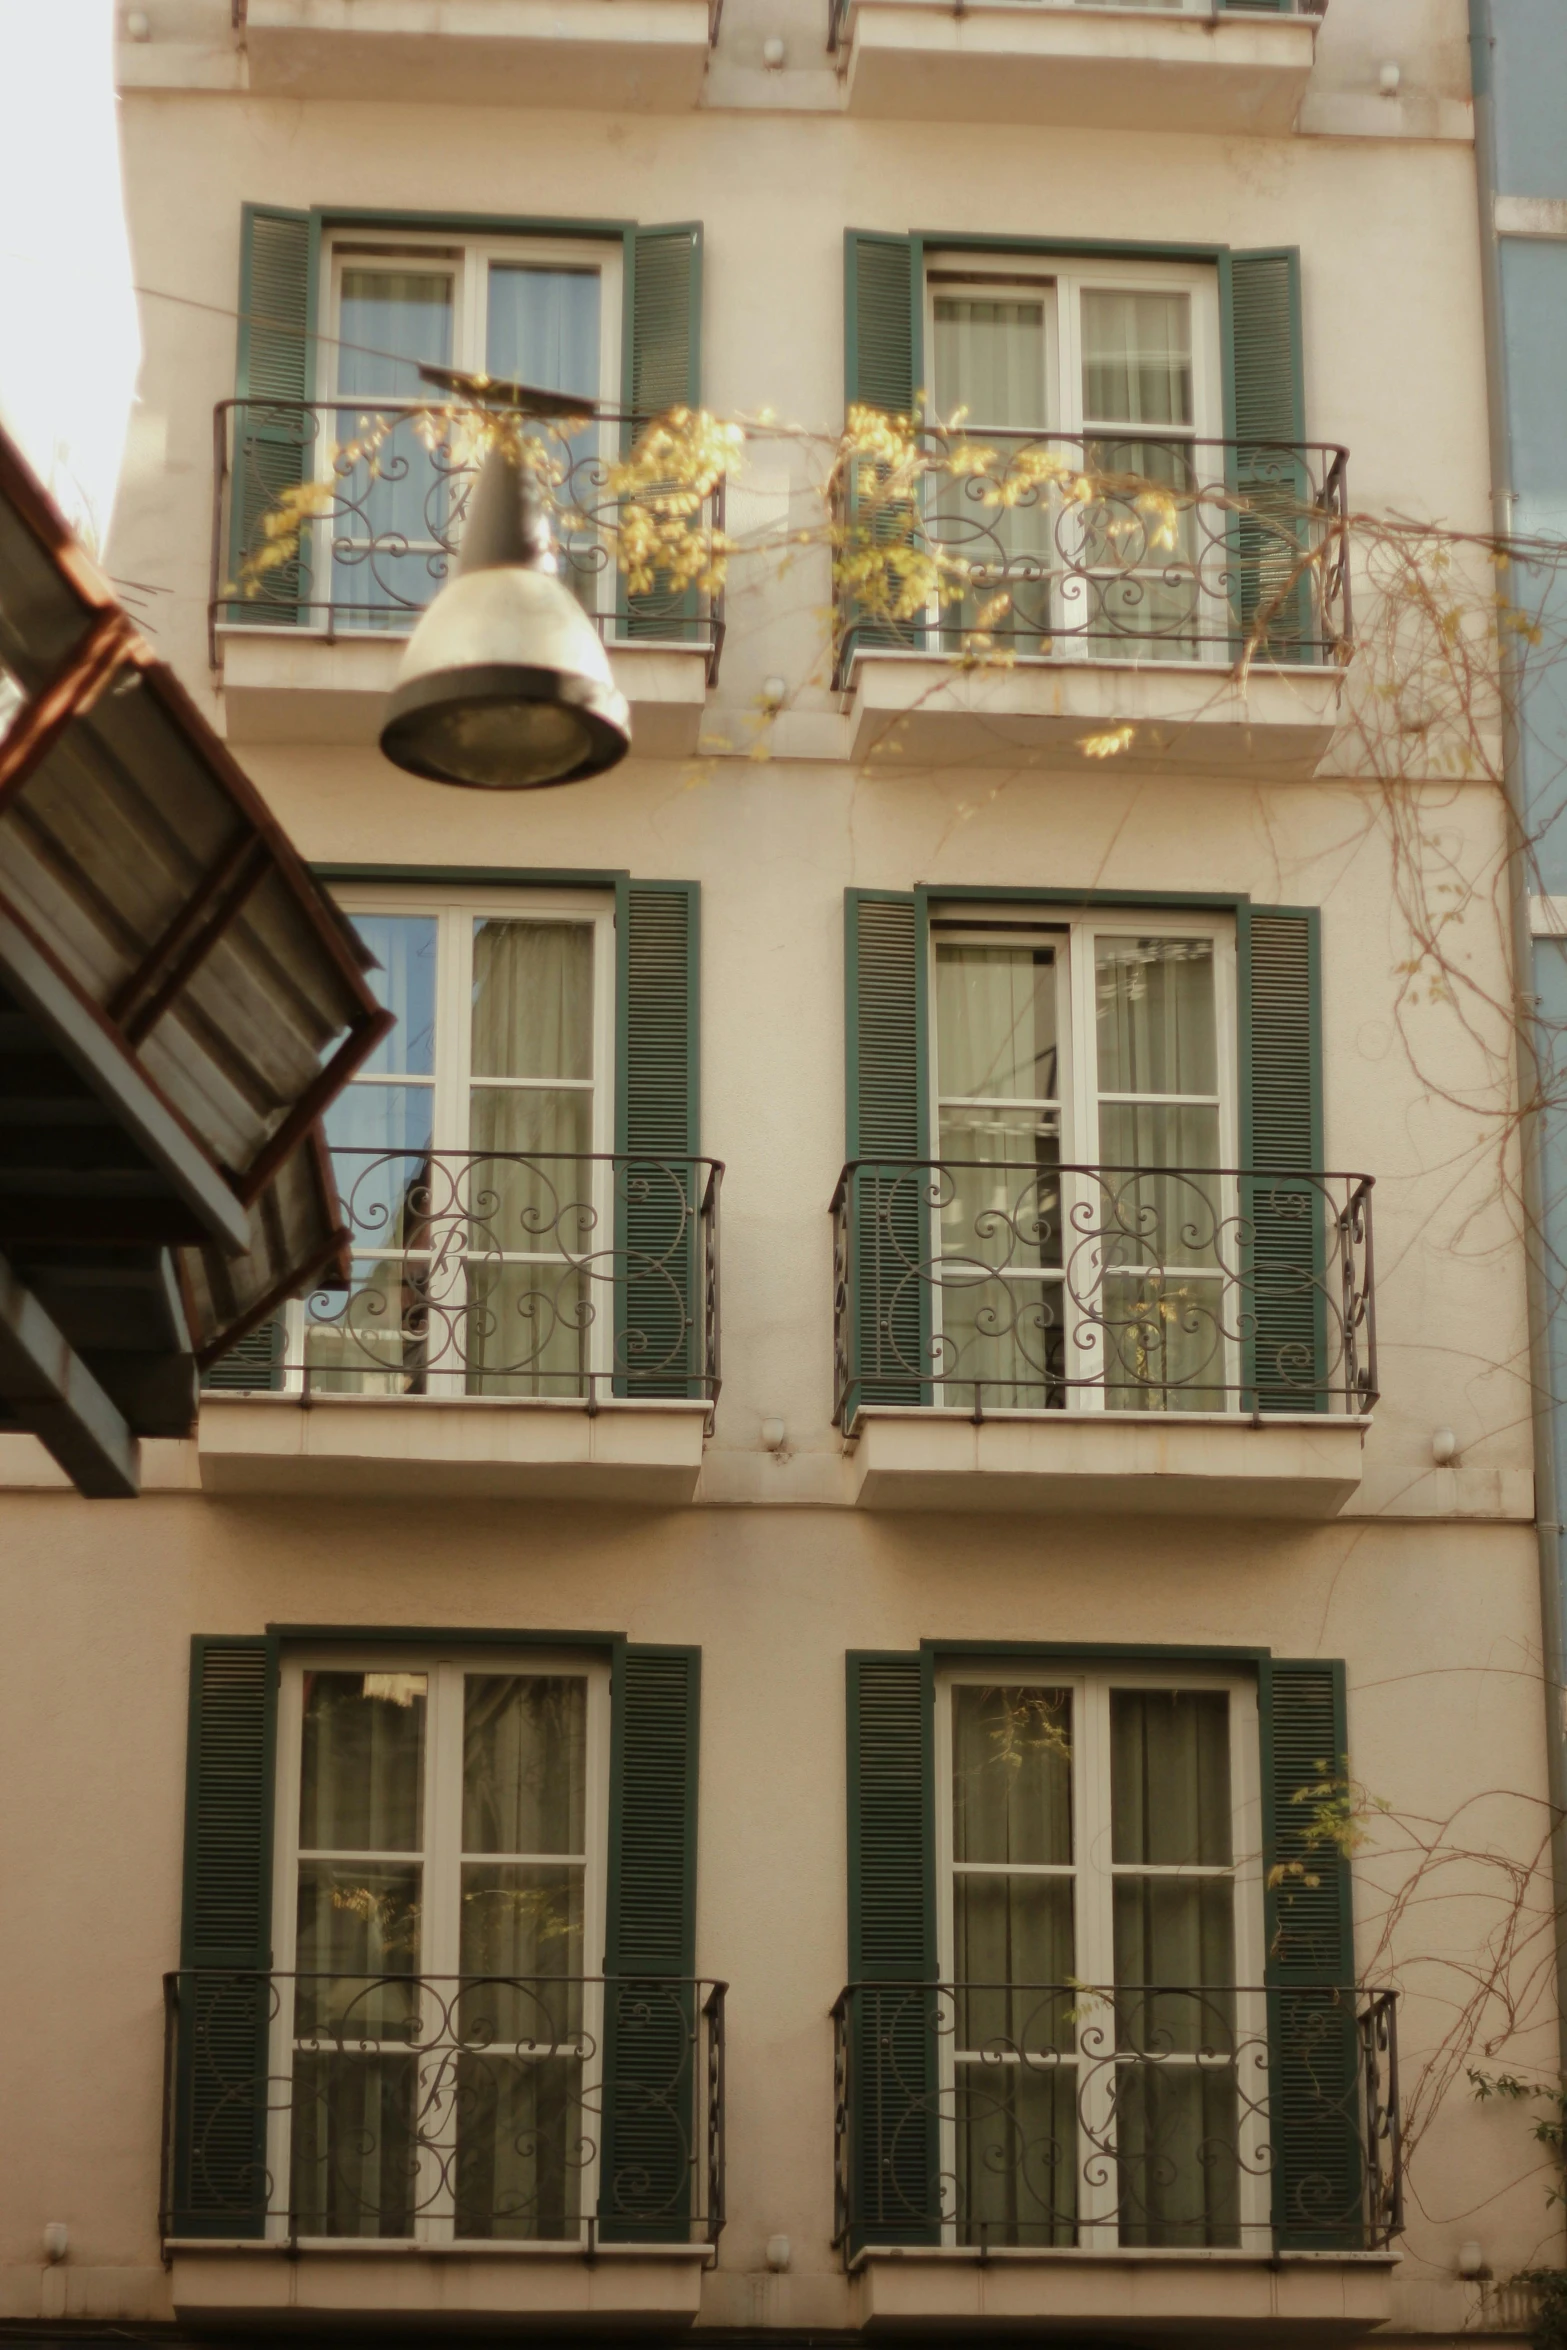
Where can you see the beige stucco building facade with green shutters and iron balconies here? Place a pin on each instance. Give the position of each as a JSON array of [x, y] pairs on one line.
[[1091, 1515]]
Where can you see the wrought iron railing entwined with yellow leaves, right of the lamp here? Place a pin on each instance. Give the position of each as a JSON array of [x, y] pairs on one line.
[[1173, 549]]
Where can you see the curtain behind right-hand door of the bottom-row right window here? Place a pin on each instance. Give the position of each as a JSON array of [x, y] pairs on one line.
[[1176, 1968]]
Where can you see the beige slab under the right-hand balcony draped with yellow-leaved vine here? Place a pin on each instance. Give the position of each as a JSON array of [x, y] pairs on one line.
[[917, 711]]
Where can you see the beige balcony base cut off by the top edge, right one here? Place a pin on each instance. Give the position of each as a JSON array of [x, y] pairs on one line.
[[1134, 69]]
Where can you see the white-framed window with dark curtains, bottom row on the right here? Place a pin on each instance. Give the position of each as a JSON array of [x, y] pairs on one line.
[[1105, 2072]]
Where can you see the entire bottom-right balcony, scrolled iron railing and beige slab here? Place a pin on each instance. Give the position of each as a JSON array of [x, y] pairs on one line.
[[1134, 2158]]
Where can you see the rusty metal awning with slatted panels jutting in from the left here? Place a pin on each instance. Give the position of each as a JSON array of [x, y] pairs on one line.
[[180, 1002]]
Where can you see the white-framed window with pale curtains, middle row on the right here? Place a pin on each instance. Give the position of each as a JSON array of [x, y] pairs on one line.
[[1084, 1120]]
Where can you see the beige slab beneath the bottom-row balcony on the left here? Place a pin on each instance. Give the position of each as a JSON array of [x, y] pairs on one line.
[[412, 2285]]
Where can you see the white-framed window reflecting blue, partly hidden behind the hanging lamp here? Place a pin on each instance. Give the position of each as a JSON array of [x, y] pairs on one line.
[[544, 311]]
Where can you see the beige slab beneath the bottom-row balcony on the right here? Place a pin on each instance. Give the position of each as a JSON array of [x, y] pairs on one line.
[[1131, 2297]]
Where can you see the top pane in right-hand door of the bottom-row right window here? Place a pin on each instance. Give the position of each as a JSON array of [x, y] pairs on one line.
[[1171, 1778]]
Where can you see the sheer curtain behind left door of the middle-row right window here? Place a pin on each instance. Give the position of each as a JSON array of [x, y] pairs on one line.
[[1000, 1077]]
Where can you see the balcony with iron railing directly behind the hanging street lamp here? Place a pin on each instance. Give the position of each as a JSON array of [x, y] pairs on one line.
[[309, 650]]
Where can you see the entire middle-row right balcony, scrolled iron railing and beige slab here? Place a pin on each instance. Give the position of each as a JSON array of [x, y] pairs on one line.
[[1091, 1338]]
